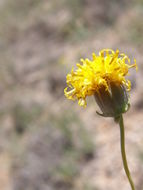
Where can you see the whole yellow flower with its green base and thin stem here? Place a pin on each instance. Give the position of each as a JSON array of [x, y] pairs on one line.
[[104, 77]]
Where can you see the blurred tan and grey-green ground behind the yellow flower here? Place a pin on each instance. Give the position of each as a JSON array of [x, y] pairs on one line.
[[46, 141]]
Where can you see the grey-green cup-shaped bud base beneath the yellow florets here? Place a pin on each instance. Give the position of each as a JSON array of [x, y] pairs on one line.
[[112, 101]]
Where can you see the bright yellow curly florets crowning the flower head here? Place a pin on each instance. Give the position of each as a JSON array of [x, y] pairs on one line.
[[106, 68]]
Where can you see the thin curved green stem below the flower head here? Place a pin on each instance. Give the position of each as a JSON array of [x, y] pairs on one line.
[[125, 164]]
